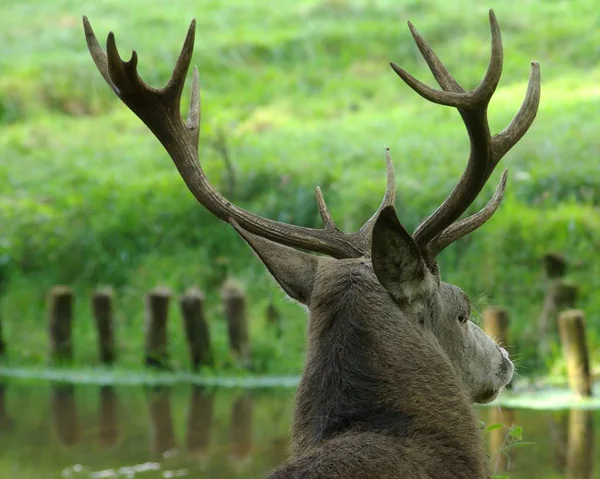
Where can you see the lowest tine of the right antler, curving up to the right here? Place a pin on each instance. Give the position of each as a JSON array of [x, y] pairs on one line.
[[471, 223]]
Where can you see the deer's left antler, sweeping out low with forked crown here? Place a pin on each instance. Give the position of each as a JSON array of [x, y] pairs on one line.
[[159, 109]]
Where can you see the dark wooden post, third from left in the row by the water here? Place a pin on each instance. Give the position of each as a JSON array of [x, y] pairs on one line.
[[157, 313]]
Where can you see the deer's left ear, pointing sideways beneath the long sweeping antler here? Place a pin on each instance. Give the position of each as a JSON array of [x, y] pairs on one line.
[[294, 270]]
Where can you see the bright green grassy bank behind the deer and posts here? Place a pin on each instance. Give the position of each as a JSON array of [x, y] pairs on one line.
[[301, 95]]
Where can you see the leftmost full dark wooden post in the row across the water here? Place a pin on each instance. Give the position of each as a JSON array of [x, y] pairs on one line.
[[60, 321]]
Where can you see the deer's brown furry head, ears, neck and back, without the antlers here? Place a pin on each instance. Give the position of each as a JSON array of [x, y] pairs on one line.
[[384, 391]]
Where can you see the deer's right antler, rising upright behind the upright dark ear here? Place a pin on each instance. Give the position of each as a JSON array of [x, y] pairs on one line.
[[439, 230]]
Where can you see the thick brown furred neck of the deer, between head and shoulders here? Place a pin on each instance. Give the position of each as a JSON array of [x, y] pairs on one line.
[[367, 371]]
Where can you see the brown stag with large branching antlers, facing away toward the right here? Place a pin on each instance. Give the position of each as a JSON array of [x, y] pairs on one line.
[[394, 362]]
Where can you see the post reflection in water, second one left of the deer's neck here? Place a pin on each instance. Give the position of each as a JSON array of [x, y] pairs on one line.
[[199, 423]]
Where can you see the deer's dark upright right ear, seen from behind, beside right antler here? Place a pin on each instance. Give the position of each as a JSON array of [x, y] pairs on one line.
[[397, 261]]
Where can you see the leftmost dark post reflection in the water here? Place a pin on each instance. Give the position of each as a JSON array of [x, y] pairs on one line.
[[64, 413]]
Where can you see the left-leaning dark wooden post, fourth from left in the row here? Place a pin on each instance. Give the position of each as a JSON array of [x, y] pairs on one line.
[[196, 328]]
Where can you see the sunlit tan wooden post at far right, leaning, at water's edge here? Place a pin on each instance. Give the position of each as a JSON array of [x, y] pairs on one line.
[[571, 325]]
